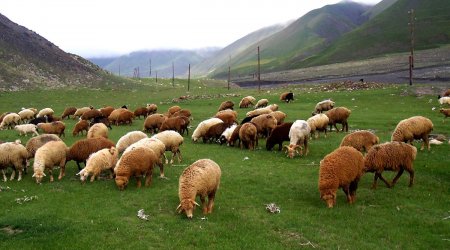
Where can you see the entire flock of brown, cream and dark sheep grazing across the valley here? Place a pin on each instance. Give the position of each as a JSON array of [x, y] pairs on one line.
[[136, 154]]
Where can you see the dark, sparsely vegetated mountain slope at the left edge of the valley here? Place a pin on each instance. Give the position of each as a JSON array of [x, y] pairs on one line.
[[27, 61]]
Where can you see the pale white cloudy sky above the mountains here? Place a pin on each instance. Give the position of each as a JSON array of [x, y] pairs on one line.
[[109, 27]]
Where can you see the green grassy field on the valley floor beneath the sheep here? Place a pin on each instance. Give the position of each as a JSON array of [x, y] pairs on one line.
[[68, 215]]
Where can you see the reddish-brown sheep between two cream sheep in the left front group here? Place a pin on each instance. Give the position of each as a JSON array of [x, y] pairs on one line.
[[81, 149]]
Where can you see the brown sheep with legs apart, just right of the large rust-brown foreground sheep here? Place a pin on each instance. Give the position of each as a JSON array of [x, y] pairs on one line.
[[394, 156]]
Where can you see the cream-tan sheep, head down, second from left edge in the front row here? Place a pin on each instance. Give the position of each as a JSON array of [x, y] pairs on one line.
[[50, 154]]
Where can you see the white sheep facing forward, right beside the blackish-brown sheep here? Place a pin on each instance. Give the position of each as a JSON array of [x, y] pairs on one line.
[[298, 137]]
